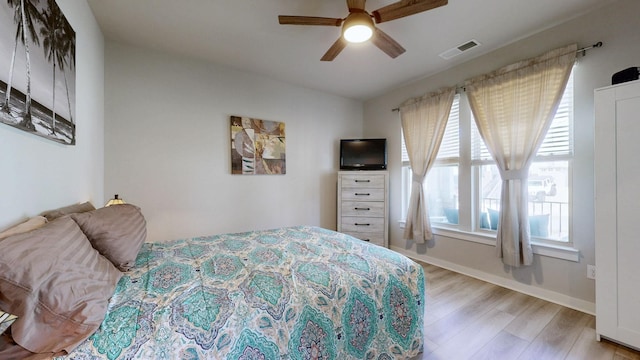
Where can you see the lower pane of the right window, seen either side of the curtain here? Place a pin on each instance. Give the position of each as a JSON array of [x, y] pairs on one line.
[[548, 199]]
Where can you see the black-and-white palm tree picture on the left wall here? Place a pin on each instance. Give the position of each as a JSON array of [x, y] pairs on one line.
[[37, 69]]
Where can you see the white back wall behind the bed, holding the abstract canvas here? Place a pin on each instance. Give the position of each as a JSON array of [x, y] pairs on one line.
[[167, 140]]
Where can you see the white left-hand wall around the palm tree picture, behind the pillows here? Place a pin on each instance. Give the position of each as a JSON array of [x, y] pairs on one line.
[[38, 174]]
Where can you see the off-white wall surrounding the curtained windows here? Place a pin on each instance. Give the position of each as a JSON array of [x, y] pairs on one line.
[[618, 27]]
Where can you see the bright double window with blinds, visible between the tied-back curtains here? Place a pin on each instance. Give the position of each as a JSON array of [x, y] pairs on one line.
[[463, 187]]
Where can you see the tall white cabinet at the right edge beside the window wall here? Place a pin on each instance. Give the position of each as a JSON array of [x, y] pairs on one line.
[[617, 212]]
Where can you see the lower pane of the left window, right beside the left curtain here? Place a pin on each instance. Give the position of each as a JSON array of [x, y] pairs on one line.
[[442, 194]]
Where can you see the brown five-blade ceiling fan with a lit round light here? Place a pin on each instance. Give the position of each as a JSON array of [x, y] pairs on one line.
[[359, 26]]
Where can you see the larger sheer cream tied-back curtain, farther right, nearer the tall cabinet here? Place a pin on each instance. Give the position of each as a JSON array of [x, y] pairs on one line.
[[513, 108]]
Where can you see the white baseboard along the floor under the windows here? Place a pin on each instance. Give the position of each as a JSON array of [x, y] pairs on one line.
[[551, 296]]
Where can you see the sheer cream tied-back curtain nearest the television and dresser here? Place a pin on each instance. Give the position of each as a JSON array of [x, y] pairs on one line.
[[424, 120]]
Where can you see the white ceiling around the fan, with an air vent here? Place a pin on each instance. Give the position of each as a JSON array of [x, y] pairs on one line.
[[245, 35]]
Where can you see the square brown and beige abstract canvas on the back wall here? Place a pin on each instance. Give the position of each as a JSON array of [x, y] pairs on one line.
[[257, 146]]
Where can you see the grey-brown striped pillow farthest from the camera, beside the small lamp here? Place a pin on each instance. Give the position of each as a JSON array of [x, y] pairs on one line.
[[116, 231]]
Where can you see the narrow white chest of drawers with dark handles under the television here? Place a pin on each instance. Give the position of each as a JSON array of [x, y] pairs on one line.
[[363, 198]]
